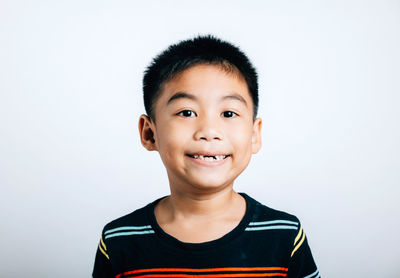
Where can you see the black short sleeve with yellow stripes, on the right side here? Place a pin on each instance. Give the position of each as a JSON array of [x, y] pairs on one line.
[[302, 263]]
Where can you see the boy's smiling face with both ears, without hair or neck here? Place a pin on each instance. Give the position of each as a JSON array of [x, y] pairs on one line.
[[204, 129]]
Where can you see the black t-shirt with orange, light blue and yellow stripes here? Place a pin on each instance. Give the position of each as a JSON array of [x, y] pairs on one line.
[[266, 243]]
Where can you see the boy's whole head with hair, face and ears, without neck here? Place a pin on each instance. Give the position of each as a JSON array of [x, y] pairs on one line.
[[206, 130]]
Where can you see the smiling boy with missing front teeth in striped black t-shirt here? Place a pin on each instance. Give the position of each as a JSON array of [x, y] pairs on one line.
[[201, 99]]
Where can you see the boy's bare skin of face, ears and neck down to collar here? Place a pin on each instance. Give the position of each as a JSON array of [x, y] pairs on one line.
[[204, 110]]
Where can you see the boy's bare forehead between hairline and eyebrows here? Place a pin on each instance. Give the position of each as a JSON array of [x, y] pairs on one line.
[[206, 81]]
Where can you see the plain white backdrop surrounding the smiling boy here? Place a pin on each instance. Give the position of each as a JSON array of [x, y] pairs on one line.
[[70, 156]]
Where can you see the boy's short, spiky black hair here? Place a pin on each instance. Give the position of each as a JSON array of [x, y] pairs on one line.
[[187, 53]]
